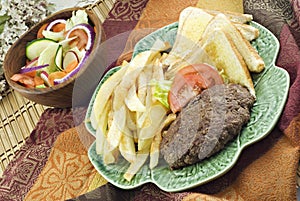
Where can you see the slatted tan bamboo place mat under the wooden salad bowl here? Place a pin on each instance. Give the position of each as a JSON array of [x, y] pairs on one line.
[[19, 115]]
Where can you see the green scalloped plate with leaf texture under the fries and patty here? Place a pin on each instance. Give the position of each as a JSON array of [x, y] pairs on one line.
[[271, 88]]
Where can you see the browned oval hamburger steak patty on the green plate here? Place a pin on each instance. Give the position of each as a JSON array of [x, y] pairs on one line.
[[206, 124]]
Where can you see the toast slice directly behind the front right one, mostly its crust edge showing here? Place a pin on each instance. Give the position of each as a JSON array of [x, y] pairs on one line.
[[254, 62]]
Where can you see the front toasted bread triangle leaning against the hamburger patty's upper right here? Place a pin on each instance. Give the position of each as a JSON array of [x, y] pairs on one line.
[[226, 58]]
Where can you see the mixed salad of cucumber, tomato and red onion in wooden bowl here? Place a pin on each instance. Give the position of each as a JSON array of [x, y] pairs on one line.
[[59, 51]]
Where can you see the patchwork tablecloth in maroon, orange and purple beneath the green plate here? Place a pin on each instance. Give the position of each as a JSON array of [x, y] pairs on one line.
[[255, 176]]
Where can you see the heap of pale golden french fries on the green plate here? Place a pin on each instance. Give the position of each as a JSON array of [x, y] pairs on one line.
[[120, 107]]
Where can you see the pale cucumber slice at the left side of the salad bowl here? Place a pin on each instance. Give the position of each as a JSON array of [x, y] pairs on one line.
[[37, 46]]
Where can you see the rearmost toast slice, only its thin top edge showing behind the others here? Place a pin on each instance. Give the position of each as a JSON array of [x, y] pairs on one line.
[[233, 16]]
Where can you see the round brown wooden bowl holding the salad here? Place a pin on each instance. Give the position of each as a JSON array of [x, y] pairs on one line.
[[60, 95]]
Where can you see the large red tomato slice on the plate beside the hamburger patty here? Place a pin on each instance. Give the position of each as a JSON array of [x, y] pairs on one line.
[[191, 81]]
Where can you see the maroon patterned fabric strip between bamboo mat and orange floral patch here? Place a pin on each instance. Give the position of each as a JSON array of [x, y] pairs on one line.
[[22, 172]]
